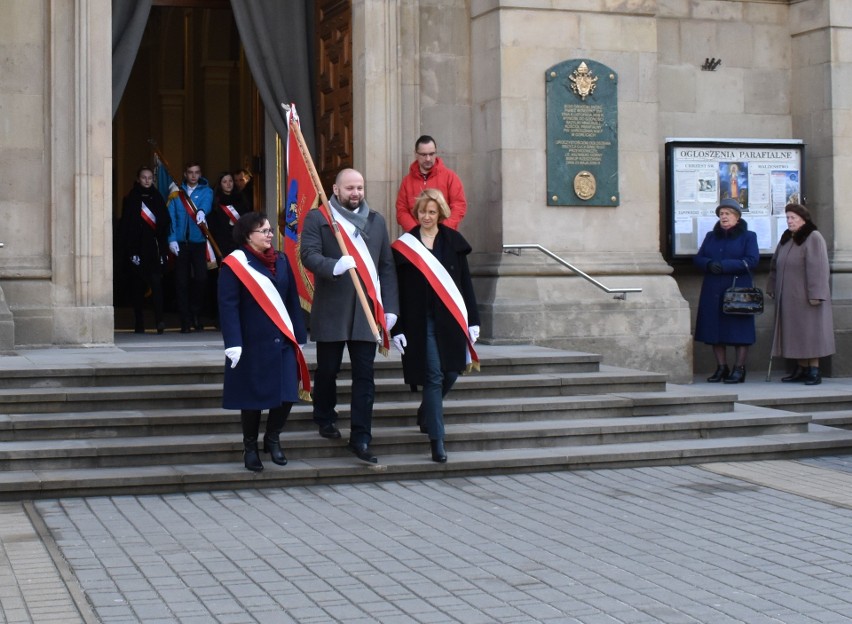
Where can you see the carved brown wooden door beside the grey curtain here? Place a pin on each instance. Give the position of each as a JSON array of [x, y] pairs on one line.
[[333, 88]]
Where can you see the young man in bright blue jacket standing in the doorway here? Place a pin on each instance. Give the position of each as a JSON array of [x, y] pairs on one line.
[[187, 243]]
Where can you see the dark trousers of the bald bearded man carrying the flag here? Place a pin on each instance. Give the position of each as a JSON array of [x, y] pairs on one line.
[[329, 357]]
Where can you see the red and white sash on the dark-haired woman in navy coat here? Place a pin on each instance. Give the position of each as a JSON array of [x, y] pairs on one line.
[[262, 289]]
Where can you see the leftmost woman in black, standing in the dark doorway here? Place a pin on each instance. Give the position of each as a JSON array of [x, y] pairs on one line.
[[143, 238]]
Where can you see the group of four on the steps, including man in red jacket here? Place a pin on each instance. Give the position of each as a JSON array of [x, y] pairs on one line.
[[421, 282]]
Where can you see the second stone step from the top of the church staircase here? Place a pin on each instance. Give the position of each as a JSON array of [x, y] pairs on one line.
[[78, 399]]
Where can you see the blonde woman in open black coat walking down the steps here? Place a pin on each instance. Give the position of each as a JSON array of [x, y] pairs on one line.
[[431, 338]]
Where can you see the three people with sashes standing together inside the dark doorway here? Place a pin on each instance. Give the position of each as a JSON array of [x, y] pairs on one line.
[[163, 226]]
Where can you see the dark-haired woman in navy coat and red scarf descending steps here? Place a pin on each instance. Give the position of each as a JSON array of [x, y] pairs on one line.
[[263, 370]]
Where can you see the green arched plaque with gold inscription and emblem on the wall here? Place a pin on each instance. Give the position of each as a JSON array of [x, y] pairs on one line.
[[582, 134]]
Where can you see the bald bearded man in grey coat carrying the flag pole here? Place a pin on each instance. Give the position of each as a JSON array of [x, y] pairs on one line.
[[337, 318]]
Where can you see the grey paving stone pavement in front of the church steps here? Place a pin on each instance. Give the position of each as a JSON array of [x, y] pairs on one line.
[[752, 542]]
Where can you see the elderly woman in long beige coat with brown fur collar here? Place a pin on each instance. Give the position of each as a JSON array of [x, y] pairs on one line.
[[799, 282]]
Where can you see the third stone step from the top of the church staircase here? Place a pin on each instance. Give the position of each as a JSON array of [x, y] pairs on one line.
[[190, 421]]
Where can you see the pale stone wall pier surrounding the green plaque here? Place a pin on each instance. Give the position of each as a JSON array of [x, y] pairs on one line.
[[530, 298]]
